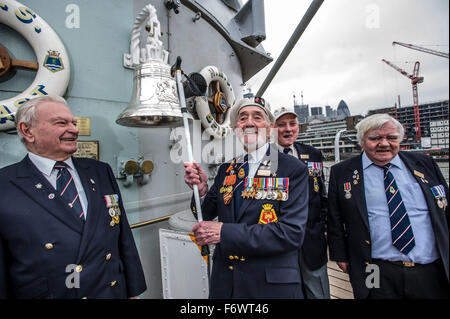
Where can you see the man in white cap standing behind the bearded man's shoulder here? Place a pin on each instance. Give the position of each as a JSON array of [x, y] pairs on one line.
[[313, 254]]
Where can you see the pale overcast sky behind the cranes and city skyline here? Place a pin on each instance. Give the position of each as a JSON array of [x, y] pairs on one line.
[[339, 55]]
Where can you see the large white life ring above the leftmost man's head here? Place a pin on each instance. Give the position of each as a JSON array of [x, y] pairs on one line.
[[53, 71]]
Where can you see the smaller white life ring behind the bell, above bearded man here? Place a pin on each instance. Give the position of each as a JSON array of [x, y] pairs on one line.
[[221, 99]]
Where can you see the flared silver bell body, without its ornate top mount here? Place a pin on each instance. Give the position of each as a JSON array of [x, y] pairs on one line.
[[154, 101]]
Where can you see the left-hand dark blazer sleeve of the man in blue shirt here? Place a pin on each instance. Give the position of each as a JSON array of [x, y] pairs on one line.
[[335, 225]]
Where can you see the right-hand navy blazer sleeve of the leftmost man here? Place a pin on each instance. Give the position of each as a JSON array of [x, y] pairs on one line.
[[134, 273]]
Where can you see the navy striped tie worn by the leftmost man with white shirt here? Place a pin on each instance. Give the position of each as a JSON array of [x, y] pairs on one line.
[[65, 186]]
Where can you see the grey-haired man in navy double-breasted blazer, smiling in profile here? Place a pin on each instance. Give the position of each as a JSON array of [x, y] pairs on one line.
[[63, 228]]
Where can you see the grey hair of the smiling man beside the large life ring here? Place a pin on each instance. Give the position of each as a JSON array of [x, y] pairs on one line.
[[26, 113]]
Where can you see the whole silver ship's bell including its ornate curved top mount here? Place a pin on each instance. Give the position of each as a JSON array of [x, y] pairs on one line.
[[154, 101]]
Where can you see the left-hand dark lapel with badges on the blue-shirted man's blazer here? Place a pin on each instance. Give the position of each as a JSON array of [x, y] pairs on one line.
[[357, 191]]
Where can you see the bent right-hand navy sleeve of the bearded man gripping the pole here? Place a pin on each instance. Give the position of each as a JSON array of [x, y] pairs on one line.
[[274, 238]]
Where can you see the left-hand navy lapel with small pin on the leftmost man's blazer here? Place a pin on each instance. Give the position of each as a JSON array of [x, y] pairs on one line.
[[31, 181]]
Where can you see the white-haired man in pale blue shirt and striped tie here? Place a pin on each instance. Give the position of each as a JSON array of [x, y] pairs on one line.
[[388, 217]]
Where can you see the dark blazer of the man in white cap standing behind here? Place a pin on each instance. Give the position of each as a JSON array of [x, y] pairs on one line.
[[314, 248]]
